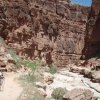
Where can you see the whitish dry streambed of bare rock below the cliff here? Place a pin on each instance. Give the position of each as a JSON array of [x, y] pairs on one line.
[[73, 80]]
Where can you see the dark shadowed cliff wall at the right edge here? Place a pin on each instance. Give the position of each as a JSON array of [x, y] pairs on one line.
[[92, 38]]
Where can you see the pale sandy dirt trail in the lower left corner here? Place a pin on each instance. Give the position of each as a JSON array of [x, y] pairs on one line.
[[12, 89]]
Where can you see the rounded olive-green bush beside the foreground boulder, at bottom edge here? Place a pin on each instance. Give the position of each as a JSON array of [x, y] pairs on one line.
[[58, 93]]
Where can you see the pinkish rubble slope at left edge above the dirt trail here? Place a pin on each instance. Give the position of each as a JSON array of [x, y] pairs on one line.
[[7, 62]]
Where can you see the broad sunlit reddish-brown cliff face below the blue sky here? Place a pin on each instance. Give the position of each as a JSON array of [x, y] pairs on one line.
[[52, 30]]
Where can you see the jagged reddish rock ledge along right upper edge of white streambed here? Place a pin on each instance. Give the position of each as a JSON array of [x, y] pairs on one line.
[[90, 73]]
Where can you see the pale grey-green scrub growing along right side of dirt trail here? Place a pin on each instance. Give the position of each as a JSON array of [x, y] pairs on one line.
[[30, 92]]
